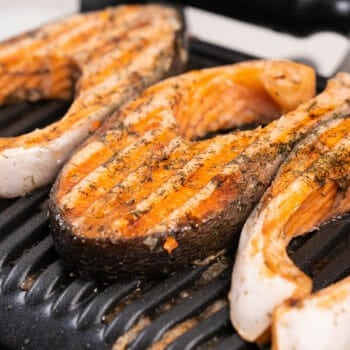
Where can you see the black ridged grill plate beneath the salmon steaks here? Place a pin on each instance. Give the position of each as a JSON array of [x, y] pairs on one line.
[[45, 306]]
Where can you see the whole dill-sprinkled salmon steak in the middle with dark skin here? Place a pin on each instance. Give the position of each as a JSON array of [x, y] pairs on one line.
[[143, 196]]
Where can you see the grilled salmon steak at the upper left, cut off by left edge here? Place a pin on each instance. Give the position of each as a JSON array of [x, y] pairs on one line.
[[102, 58]]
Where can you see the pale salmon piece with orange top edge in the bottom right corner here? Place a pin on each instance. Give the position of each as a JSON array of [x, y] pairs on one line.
[[318, 322]]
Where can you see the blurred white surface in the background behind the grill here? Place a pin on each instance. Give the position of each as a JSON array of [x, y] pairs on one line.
[[324, 50]]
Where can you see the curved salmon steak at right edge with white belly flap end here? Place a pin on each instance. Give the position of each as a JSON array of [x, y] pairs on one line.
[[311, 187]]
